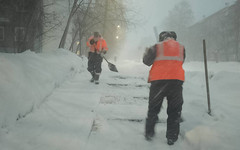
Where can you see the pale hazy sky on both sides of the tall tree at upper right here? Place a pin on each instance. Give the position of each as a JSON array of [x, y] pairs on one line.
[[152, 13]]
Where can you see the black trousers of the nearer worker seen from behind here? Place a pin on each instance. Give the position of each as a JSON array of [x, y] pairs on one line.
[[172, 90]]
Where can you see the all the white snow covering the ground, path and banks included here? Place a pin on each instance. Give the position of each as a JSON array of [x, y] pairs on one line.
[[48, 103]]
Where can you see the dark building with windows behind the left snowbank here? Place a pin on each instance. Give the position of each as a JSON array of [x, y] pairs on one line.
[[20, 25]]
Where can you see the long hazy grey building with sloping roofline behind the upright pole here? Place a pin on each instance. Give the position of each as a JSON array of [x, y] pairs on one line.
[[221, 31]]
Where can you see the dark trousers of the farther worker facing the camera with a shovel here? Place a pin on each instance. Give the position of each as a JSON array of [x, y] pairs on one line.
[[94, 63]]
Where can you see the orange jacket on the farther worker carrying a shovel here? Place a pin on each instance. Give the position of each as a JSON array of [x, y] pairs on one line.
[[99, 46]]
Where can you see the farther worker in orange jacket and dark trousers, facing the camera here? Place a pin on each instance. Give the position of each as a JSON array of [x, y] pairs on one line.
[[97, 49]]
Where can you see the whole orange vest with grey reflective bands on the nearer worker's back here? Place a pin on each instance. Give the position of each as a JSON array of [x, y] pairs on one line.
[[168, 62]]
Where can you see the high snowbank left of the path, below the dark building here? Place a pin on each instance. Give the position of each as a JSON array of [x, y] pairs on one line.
[[26, 80]]
